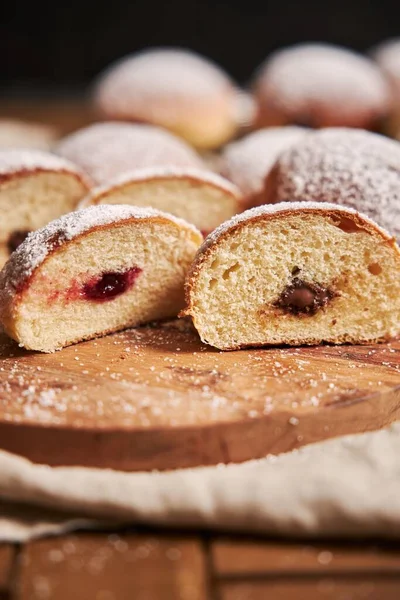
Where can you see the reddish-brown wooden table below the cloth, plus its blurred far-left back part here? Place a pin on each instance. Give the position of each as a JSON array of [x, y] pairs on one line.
[[144, 564]]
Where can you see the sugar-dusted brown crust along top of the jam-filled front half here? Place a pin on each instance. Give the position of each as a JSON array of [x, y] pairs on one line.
[[32, 252]]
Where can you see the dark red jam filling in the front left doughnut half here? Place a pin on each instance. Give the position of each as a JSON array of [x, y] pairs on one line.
[[110, 285]]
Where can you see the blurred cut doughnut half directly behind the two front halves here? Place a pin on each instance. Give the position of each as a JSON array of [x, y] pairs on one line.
[[204, 199]]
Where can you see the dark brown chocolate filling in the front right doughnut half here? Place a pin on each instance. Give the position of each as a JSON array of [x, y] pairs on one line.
[[301, 297]]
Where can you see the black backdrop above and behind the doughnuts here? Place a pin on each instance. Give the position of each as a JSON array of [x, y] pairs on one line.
[[63, 44]]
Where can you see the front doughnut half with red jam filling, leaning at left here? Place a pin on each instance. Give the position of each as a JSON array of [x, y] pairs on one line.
[[95, 271]]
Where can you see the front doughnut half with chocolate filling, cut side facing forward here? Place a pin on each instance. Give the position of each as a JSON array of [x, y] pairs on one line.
[[298, 273]]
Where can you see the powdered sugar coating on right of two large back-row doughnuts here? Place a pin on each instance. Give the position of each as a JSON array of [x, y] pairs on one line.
[[324, 75]]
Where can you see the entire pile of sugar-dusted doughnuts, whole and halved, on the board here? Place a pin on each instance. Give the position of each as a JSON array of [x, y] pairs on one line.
[[121, 207]]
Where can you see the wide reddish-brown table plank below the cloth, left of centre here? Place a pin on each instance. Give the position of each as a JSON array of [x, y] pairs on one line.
[[111, 567]]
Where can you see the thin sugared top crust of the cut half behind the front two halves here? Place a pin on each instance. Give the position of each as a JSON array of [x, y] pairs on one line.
[[151, 173]]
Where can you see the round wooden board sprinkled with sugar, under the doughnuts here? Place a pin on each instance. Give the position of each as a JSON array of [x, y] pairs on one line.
[[156, 398]]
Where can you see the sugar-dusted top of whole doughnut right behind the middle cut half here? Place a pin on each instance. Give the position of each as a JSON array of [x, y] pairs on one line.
[[106, 150]]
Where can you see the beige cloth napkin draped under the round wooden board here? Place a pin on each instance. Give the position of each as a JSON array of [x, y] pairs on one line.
[[345, 486]]
